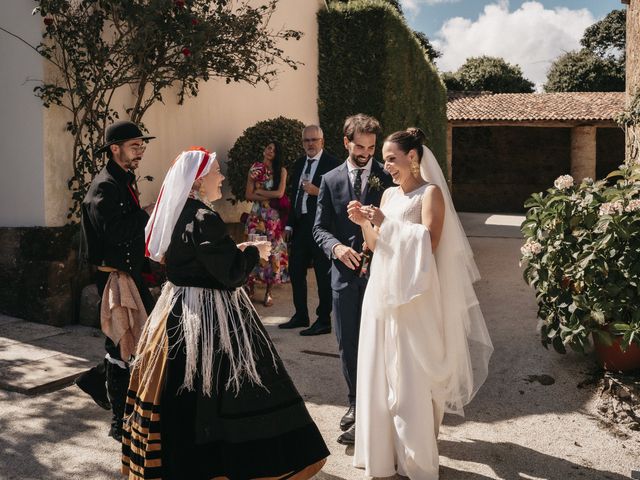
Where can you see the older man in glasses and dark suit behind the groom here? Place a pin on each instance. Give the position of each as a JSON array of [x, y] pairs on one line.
[[305, 180]]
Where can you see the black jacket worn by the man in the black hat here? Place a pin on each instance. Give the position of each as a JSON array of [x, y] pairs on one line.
[[113, 222]]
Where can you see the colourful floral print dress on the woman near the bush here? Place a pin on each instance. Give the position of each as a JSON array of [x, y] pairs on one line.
[[264, 219]]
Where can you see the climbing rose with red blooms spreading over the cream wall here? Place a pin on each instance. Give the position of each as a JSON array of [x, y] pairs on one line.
[[149, 46]]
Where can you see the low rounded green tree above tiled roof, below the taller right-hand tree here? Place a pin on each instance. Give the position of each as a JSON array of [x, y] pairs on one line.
[[584, 71]]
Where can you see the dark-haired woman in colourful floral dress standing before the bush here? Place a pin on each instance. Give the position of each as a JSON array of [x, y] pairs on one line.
[[266, 188]]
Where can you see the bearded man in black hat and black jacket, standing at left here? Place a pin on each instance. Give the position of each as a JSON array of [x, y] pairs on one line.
[[113, 223]]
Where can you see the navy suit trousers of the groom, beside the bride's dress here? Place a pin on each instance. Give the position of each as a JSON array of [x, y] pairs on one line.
[[347, 308]]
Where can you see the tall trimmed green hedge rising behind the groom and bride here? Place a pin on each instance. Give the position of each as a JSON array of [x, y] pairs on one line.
[[371, 62]]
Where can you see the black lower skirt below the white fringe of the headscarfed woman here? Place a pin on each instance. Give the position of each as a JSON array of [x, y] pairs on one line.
[[259, 431]]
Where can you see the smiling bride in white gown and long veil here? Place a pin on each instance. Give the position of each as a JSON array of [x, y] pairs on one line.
[[424, 347]]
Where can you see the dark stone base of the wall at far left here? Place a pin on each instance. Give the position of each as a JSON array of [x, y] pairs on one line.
[[40, 278]]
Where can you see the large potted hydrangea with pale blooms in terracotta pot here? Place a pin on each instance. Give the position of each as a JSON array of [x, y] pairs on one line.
[[582, 256]]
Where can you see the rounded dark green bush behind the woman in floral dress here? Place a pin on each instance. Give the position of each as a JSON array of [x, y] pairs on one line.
[[249, 146]]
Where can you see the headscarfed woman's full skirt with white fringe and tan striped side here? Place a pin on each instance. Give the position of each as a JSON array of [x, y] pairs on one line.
[[198, 328]]
